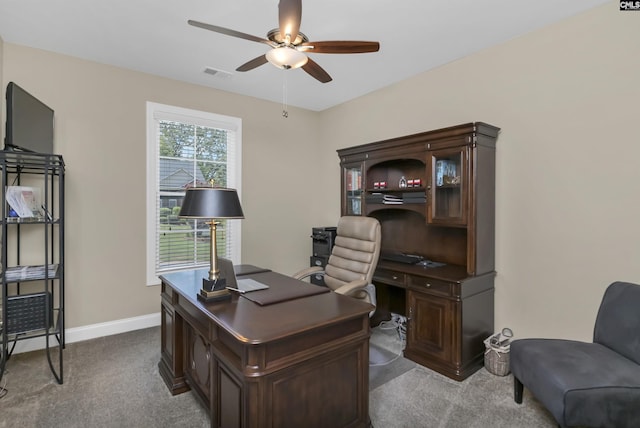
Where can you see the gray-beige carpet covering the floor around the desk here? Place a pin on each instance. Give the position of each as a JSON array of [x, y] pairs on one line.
[[114, 382]]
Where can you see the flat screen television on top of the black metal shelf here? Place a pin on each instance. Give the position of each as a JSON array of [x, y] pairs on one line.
[[29, 124]]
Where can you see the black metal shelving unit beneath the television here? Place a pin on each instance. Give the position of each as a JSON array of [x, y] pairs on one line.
[[32, 257]]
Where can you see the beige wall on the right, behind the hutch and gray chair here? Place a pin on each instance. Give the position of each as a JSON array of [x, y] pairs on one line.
[[566, 98]]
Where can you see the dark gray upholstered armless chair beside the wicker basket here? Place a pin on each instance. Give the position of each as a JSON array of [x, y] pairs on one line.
[[588, 384]]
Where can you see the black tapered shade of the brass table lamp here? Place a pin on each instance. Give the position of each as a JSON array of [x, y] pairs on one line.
[[211, 202]]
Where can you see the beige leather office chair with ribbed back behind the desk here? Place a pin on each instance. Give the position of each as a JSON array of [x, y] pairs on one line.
[[353, 258]]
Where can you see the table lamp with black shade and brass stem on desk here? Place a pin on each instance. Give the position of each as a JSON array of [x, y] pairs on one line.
[[211, 203]]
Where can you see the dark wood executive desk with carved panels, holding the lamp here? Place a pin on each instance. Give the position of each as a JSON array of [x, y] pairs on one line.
[[301, 362]]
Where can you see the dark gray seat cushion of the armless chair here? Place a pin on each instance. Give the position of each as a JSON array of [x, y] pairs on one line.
[[581, 384]]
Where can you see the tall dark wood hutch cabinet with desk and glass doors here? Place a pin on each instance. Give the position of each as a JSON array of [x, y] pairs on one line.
[[434, 195]]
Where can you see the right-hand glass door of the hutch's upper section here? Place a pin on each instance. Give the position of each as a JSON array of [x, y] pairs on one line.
[[447, 189]]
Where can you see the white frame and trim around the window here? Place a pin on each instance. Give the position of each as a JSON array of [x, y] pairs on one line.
[[156, 112]]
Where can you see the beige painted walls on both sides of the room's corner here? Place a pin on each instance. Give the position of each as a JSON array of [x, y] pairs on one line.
[[565, 97]]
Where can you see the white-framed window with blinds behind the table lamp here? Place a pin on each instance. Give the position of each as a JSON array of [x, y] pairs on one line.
[[188, 148]]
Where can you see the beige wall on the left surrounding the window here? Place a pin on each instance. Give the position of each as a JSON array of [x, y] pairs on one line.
[[100, 130]]
